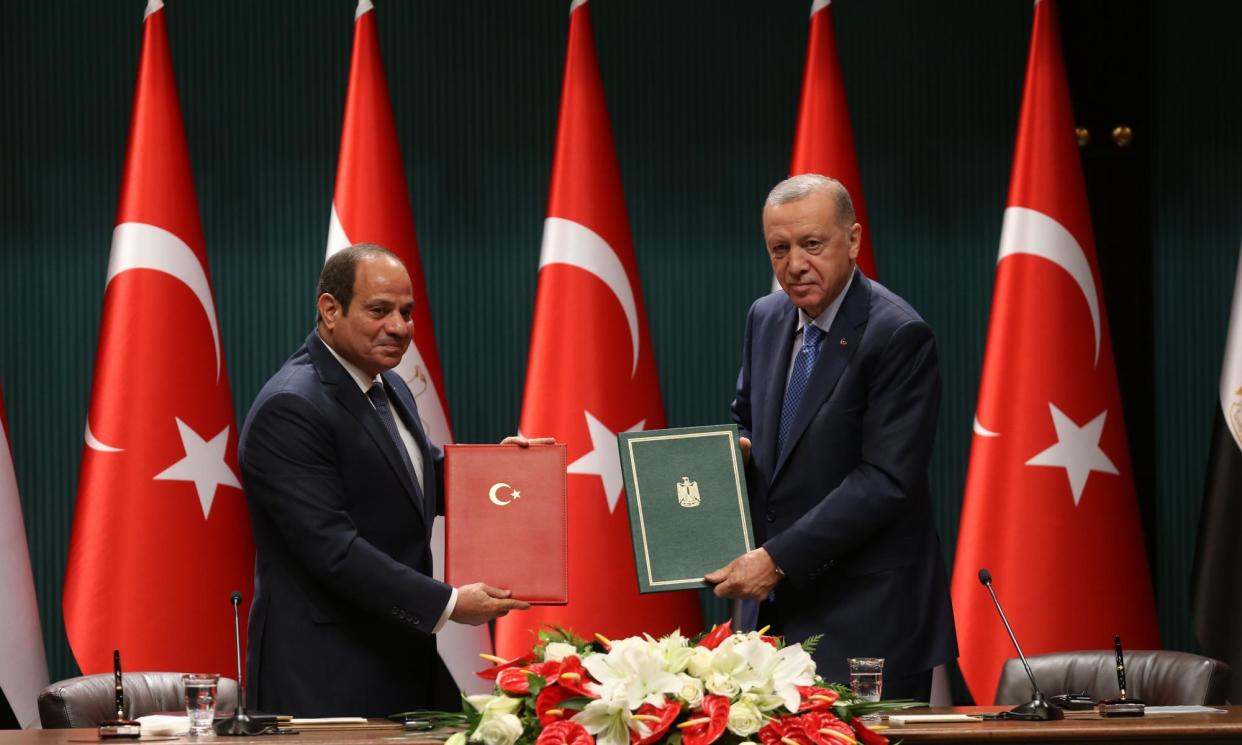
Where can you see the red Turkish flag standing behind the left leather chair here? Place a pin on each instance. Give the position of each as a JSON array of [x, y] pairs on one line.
[[161, 533]]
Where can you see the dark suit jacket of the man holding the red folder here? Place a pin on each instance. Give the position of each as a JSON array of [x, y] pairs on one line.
[[345, 602]]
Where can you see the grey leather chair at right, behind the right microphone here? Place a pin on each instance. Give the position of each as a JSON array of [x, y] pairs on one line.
[[1159, 679]]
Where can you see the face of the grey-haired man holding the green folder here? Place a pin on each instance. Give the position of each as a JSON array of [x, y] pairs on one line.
[[812, 253]]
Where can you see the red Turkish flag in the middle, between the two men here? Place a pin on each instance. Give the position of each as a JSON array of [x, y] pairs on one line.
[[592, 373]]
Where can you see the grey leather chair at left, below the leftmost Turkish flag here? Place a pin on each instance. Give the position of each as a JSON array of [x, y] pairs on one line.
[[90, 701]]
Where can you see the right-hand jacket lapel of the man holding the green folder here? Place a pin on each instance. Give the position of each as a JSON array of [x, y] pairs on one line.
[[836, 350]]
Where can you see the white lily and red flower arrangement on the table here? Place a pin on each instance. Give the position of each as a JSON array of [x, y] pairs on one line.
[[722, 689]]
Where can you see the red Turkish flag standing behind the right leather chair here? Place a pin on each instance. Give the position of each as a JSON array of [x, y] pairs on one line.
[[1050, 505]]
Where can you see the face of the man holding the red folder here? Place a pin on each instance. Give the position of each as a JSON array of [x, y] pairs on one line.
[[376, 332]]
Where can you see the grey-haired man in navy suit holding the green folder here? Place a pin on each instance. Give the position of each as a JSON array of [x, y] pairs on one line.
[[839, 394]]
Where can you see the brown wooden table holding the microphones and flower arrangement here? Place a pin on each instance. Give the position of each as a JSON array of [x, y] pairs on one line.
[[1079, 728]]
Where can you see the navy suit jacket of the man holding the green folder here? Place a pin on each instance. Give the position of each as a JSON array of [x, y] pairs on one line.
[[845, 510]]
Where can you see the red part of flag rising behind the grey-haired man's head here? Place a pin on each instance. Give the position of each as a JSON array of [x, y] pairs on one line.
[[824, 142]]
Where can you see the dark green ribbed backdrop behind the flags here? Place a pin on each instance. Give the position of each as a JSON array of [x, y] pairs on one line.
[[704, 99]]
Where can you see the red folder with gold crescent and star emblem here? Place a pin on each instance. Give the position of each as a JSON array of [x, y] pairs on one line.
[[506, 520]]
